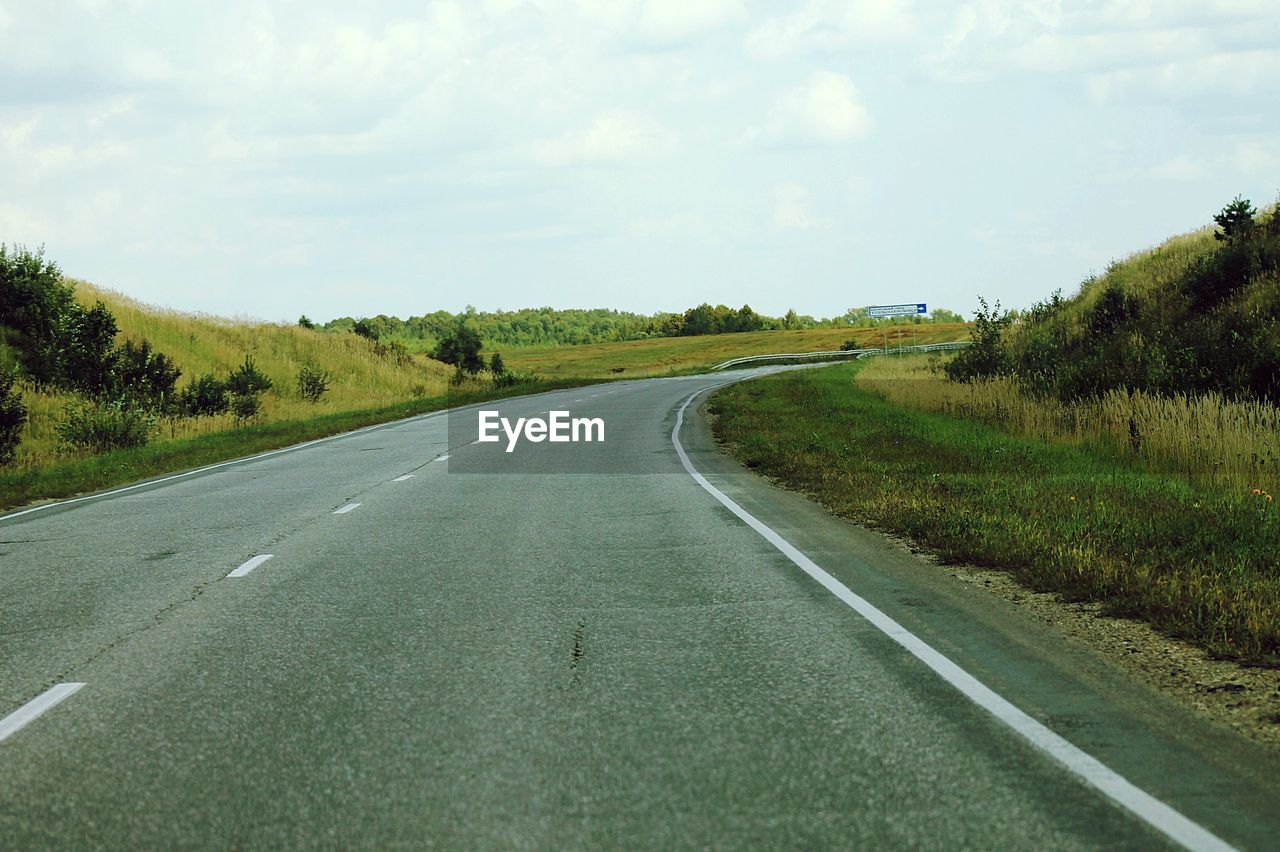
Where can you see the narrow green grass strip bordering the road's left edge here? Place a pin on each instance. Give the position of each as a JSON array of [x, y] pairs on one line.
[[120, 468]]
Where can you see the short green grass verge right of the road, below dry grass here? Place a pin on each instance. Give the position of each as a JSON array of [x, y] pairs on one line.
[[1190, 560]]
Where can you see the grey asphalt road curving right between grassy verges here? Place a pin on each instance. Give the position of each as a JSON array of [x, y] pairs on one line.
[[565, 647]]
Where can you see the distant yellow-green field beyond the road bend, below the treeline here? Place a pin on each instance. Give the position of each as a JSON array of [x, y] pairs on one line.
[[664, 356]]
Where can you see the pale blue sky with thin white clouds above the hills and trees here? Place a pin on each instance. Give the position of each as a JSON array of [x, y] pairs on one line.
[[353, 159]]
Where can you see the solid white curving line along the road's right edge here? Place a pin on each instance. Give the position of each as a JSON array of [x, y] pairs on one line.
[[1149, 809]]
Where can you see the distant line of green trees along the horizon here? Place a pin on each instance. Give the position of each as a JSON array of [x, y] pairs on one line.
[[547, 327]]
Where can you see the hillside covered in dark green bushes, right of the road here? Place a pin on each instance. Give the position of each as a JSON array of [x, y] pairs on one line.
[[1205, 320]]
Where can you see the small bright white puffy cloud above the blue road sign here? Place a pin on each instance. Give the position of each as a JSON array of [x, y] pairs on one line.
[[824, 111]]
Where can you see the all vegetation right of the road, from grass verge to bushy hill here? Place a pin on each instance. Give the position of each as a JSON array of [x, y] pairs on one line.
[[1118, 447]]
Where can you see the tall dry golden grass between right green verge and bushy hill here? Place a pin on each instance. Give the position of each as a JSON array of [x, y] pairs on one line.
[[1236, 446]]
